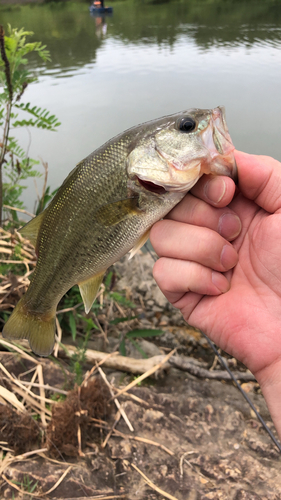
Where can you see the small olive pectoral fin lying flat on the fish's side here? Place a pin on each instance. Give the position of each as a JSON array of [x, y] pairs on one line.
[[113, 213]]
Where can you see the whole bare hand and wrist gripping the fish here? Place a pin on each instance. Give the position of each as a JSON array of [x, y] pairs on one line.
[[224, 272]]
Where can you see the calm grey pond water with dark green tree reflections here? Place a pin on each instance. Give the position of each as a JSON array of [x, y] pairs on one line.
[[147, 60]]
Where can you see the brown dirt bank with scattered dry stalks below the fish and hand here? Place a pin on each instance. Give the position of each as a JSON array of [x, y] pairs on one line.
[[192, 439]]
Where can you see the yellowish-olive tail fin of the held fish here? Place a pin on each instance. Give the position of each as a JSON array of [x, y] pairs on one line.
[[38, 329]]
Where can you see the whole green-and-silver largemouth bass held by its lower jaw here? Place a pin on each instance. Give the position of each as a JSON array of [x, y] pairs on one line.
[[106, 207]]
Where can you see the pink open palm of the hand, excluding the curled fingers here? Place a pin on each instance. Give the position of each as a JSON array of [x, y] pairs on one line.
[[238, 319]]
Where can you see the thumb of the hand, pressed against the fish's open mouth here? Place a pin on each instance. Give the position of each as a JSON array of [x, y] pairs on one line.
[[259, 179]]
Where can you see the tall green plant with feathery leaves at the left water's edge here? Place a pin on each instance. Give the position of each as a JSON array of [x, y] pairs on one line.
[[15, 164]]
